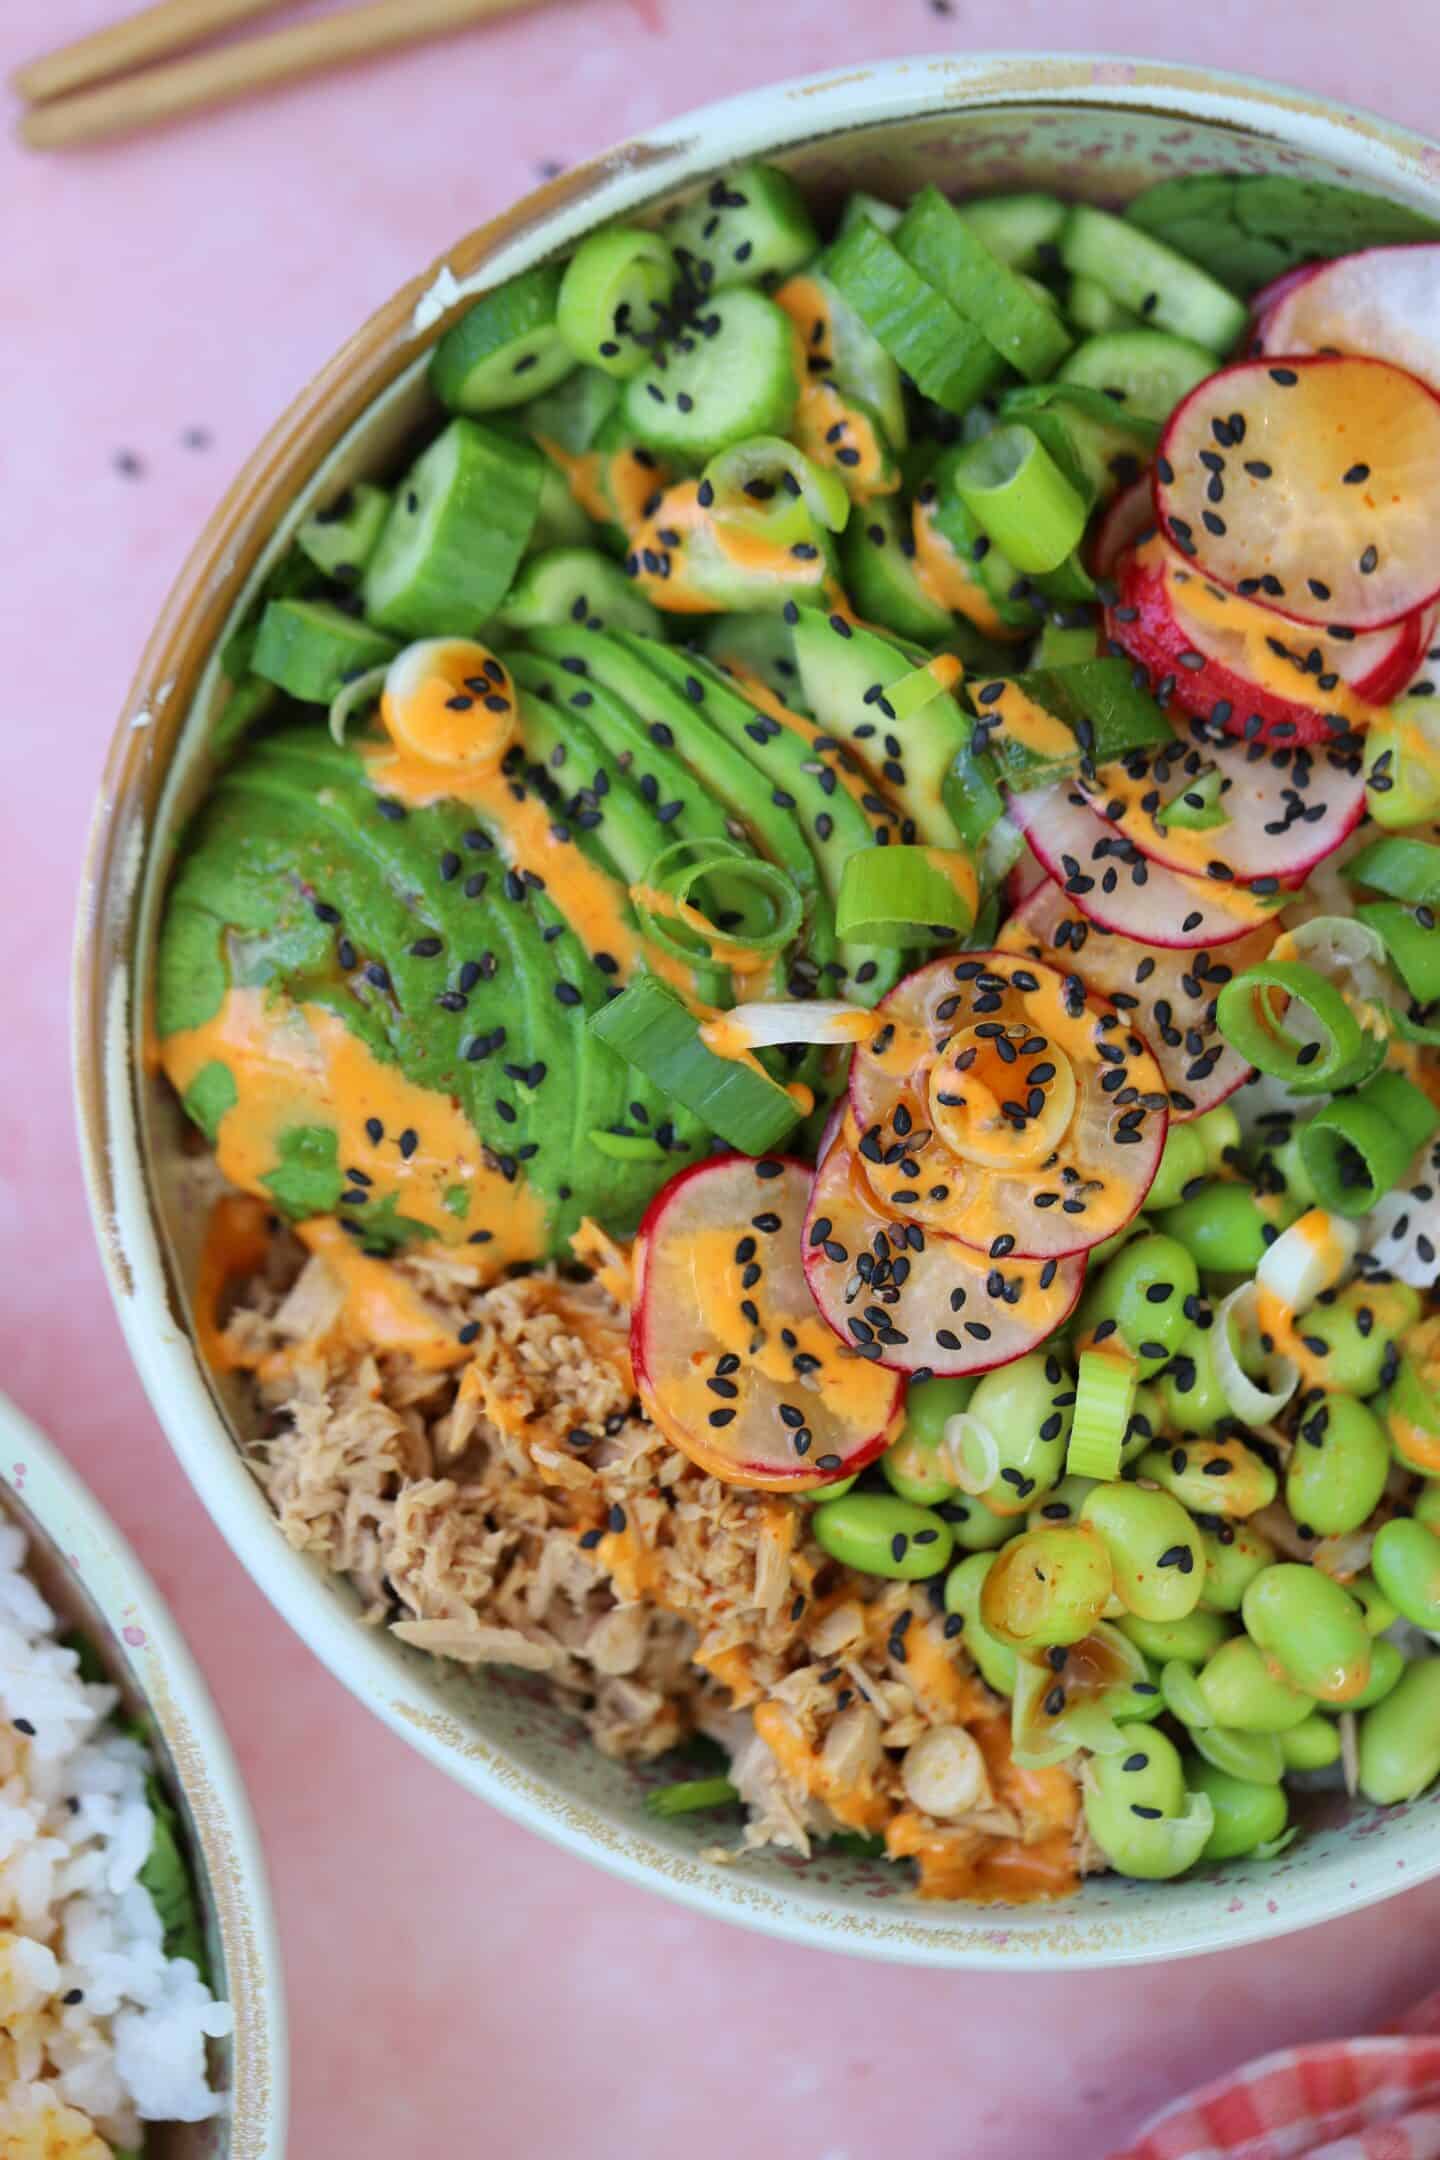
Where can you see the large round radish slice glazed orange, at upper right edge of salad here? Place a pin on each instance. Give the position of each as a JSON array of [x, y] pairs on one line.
[[1309, 485]]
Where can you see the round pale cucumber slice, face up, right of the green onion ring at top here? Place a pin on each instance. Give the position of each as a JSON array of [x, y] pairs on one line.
[[731, 375]]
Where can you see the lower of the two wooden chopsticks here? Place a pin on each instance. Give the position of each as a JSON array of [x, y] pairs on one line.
[[210, 79]]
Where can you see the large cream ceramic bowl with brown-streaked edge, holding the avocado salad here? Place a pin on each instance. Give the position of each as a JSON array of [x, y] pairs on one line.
[[1074, 126]]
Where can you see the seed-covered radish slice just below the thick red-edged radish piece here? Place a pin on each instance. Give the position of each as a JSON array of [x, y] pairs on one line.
[[1283, 809]]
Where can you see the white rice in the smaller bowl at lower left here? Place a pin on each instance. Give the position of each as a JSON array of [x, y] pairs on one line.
[[100, 2031]]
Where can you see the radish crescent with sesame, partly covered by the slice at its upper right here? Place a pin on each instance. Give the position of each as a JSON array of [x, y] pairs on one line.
[[1113, 885]]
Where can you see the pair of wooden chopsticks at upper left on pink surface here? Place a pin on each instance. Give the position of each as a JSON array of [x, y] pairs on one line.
[[146, 70]]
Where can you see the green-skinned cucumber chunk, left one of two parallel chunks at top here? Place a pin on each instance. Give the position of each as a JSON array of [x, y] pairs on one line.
[[945, 355]]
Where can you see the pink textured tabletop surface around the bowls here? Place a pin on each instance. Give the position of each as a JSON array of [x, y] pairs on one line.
[[459, 1986]]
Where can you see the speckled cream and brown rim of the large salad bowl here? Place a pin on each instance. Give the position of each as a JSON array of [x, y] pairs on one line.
[[623, 183]]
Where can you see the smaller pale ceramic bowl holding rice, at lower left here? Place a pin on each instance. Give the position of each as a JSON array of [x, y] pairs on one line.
[[94, 1582]]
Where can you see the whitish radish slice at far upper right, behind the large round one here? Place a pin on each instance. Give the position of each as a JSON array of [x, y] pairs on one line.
[[1383, 303]]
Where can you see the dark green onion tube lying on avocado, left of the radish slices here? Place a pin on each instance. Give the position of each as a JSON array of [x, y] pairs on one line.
[[660, 1036]]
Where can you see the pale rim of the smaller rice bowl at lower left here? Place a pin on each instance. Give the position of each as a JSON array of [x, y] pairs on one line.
[[165, 1675]]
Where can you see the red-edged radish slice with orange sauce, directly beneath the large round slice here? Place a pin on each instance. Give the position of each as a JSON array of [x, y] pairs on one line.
[[1242, 669]]
